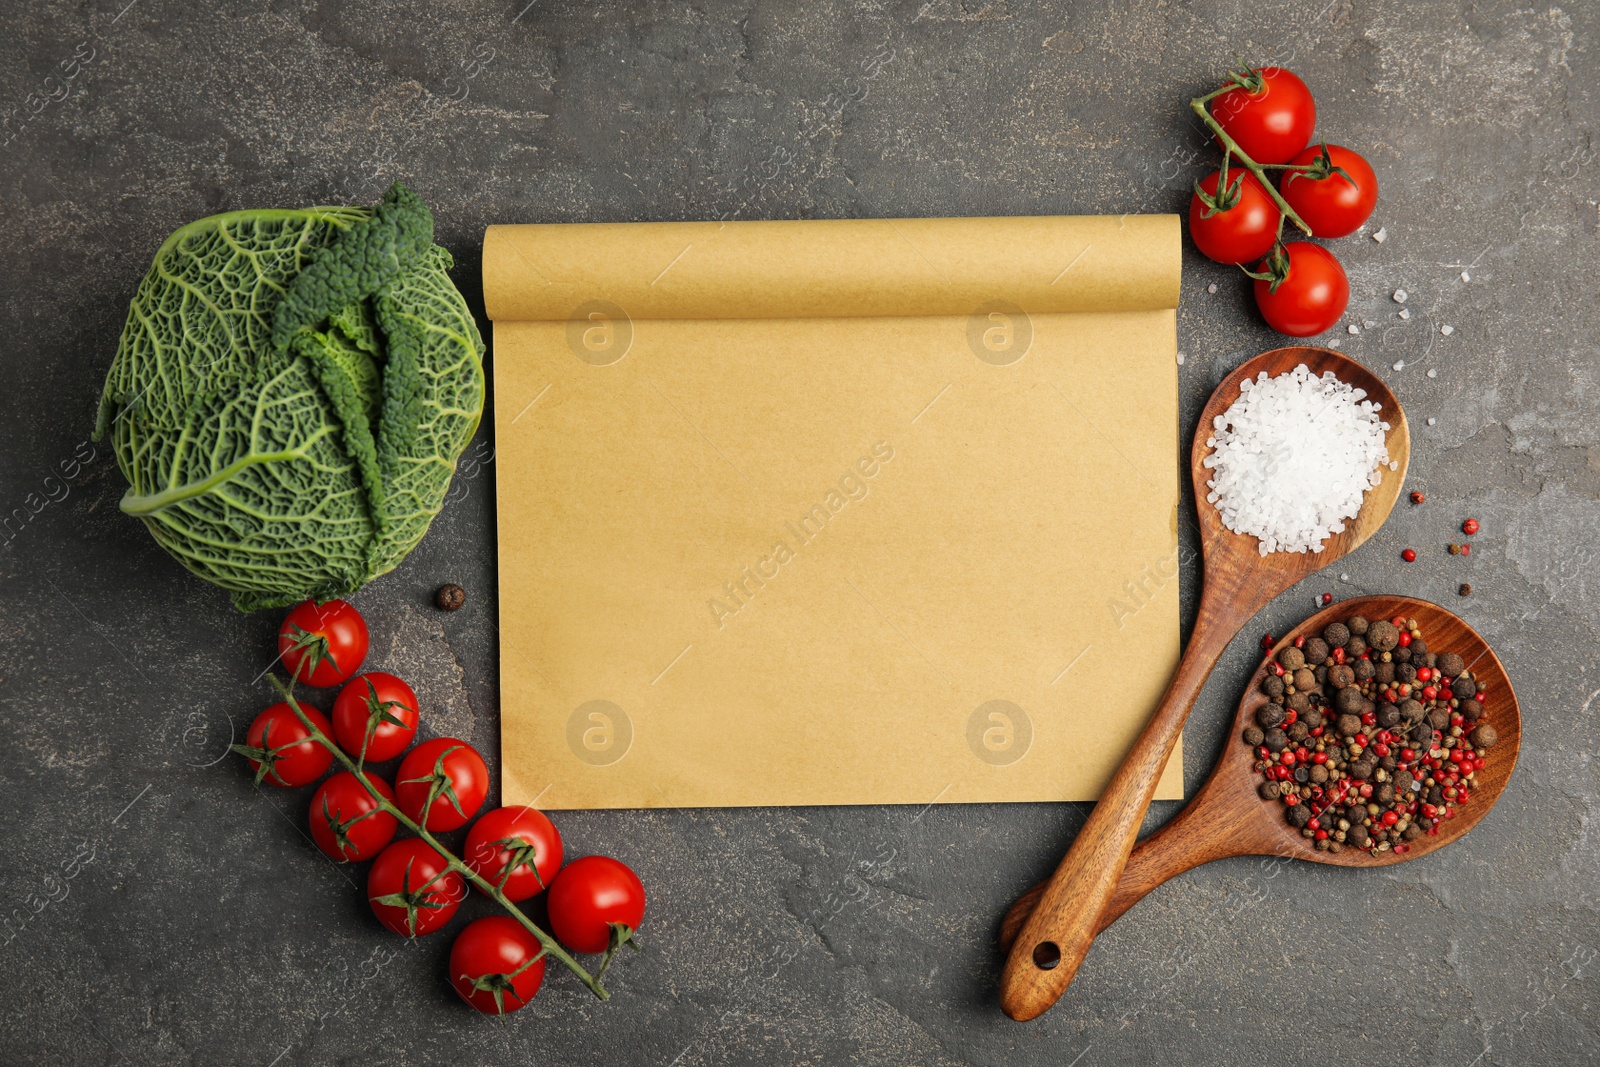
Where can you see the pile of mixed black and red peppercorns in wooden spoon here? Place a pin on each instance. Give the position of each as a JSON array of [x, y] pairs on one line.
[[1369, 740]]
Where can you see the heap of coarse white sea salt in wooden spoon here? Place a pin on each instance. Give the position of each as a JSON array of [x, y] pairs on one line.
[[1294, 457]]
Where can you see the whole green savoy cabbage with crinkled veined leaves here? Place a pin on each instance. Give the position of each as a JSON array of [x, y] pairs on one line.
[[290, 396]]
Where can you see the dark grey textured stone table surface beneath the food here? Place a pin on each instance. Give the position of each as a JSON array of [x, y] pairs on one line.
[[158, 911]]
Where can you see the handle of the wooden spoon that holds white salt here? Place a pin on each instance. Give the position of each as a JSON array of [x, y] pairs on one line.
[[1058, 935]]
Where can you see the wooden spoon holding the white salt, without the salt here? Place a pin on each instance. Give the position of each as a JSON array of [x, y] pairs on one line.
[[1239, 581]]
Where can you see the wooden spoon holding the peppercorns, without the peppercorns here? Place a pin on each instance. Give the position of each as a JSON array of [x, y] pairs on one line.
[[1228, 818]]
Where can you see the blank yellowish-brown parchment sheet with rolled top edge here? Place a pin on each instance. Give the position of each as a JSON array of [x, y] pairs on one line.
[[834, 513]]
